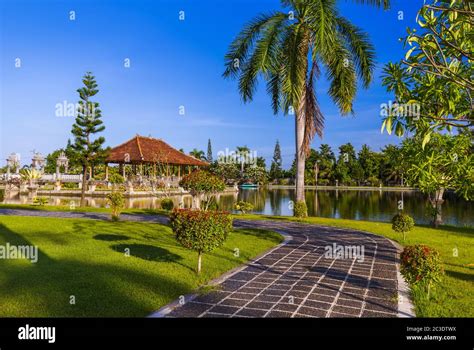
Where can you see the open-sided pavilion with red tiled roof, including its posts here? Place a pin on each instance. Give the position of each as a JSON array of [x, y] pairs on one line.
[[147, 154]]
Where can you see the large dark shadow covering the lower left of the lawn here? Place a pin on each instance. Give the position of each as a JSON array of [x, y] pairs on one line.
[[44, 289]]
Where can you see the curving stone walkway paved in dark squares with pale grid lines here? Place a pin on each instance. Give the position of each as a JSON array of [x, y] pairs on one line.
[[298, 279]]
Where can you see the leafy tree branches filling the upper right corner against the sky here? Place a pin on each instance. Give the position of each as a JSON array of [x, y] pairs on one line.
[[436, 73]]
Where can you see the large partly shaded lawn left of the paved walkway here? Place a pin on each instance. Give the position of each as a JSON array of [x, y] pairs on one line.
[[86, 259]]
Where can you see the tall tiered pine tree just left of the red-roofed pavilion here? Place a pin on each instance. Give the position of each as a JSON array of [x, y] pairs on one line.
[[88, 151]]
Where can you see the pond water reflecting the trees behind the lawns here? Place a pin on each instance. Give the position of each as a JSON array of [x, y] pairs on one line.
[[347, 204]]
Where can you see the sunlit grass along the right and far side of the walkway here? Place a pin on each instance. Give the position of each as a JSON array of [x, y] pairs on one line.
[[454, 297]]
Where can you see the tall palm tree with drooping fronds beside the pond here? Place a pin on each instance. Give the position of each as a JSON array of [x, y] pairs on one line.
[[288, 50]]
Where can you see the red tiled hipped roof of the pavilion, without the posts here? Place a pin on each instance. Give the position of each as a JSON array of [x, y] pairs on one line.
[[142, 149]]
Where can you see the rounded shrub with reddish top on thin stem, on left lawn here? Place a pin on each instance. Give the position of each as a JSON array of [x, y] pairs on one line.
[[199, 230]]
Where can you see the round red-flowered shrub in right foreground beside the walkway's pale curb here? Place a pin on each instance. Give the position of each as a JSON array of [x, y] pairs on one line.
[[421, 265]]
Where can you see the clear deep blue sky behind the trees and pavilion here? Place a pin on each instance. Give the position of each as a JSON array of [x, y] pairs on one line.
[[173, 63]]
